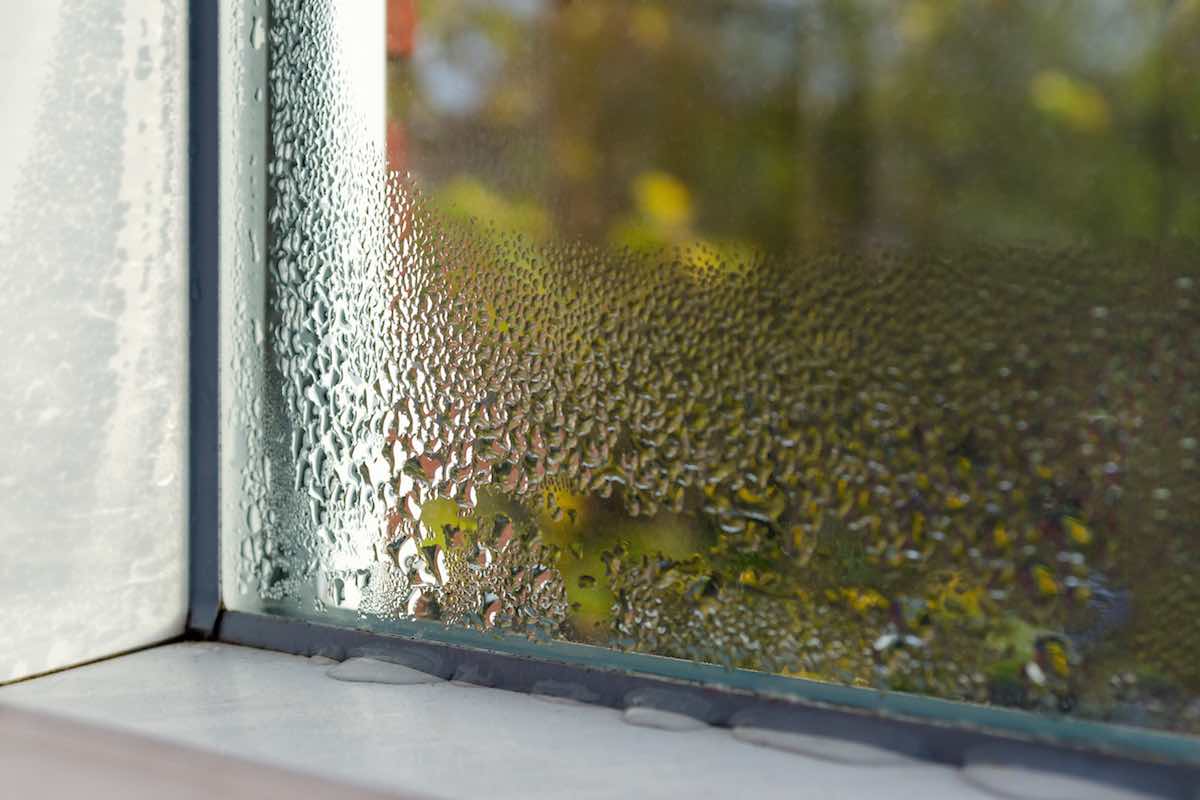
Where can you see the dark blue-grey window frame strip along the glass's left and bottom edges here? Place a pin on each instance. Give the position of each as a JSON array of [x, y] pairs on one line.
[[221, 196]]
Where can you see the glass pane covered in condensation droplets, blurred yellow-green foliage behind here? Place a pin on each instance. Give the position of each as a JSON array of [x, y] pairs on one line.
[[849, 341]]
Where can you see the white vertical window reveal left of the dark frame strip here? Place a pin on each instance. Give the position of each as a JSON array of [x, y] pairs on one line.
[[93, 329]]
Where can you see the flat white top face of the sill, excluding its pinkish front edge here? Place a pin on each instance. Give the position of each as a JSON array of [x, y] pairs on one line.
[[441, 739]]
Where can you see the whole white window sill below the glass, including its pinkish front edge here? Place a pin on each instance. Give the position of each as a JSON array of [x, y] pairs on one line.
[[257, 718]]
